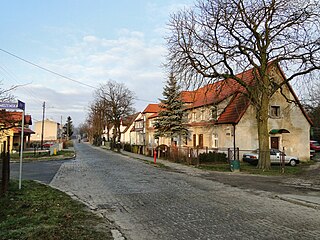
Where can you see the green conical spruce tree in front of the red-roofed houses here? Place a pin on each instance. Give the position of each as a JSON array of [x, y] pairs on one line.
[[170, 121]]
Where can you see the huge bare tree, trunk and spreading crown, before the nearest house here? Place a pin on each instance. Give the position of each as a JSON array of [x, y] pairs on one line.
[[219, 38]]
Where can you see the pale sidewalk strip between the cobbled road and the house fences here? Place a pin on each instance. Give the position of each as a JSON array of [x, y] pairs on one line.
[[301, 198]]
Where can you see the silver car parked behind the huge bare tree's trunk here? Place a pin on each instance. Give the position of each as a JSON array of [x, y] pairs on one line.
[[252, 158]]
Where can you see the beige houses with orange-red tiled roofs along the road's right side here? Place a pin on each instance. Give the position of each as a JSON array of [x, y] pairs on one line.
[[220, 116]]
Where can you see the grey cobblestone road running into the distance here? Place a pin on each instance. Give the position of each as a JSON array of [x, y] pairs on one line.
[[151, 203]]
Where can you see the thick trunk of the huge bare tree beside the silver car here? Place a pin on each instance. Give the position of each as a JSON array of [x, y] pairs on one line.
[[263, 133]]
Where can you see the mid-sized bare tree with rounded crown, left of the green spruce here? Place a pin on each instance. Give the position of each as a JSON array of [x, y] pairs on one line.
[[118, 102]]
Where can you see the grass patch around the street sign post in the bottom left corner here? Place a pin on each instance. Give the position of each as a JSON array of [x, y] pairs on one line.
[[39, 212]]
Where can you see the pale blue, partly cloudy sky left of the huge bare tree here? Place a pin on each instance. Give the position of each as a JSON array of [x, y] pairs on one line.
[[89, 41]]
